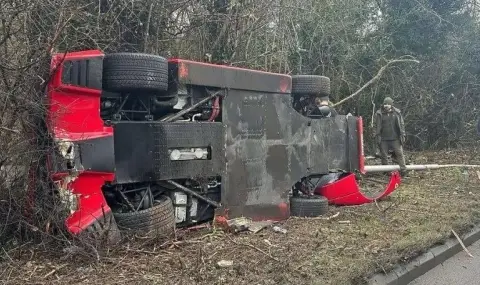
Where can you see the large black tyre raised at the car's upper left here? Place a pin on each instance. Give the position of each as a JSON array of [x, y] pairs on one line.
[[124, 72]]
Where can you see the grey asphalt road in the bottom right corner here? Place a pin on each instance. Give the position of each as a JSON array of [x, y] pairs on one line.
[[458, 270]]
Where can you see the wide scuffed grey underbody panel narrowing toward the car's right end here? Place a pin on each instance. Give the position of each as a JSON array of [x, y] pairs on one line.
[[269, 146]]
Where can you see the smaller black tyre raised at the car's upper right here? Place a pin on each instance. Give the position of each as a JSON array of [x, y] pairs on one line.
[[310, 85]]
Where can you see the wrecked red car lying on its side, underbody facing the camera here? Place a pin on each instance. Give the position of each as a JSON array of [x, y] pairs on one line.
[[150, 144]]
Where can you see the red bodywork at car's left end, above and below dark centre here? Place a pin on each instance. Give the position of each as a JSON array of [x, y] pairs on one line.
[[74, 115]]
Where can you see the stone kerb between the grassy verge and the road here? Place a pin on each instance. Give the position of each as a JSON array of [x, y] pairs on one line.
[[406, 273]]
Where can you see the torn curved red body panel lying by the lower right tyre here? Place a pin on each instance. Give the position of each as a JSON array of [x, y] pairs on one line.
[[346, 192]]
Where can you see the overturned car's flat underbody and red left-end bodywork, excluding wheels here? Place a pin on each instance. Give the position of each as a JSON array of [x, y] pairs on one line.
[[258, 147]]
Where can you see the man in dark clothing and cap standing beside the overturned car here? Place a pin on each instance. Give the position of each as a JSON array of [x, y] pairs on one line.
[[390, 133]]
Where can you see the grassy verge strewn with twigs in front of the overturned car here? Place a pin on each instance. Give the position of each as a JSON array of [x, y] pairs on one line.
[[345, 249]]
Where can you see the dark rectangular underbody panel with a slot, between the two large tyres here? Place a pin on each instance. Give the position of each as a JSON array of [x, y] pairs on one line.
[[142, 150]]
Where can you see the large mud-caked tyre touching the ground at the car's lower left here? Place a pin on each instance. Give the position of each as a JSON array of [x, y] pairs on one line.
[[159, 220]]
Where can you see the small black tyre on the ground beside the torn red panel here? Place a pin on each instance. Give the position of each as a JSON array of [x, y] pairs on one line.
[[308, 206]]
